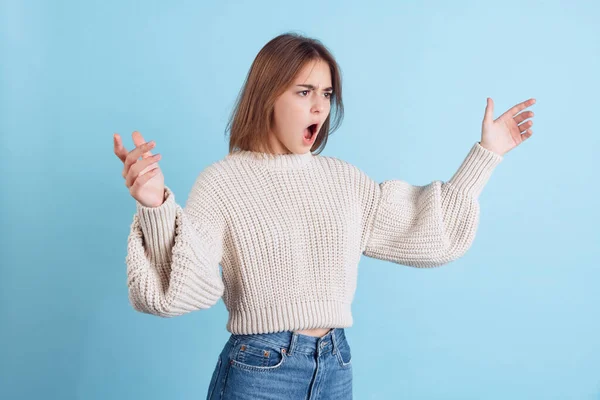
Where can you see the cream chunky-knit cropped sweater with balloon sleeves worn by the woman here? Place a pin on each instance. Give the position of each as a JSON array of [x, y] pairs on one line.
[[288, 231]]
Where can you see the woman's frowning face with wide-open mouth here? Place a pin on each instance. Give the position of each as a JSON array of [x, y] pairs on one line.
[[307, 101]]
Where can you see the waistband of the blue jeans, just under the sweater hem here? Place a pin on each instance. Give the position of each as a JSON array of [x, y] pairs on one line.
[[296, 342]]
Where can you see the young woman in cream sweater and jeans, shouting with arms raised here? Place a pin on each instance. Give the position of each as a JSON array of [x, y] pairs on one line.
[[288, 227]]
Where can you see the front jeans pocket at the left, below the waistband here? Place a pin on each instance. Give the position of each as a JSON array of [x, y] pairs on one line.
[[255, 355]]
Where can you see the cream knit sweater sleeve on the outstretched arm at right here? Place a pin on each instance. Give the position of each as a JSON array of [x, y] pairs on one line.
[[431, 225]]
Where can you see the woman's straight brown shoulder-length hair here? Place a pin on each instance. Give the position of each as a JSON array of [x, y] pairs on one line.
[[272, 72]]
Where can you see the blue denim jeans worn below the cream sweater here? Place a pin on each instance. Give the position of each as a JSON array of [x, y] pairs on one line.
[[283, 365]]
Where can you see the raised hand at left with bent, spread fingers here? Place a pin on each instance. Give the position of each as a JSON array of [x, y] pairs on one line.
[[143, 177]]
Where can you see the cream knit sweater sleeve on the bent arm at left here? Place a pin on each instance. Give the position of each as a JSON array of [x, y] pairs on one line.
[[173, 254]]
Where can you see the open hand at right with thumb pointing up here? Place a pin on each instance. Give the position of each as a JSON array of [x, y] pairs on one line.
[[505, 133]]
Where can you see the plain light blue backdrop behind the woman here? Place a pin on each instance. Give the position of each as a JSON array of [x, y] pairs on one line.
[[515, 318]]
